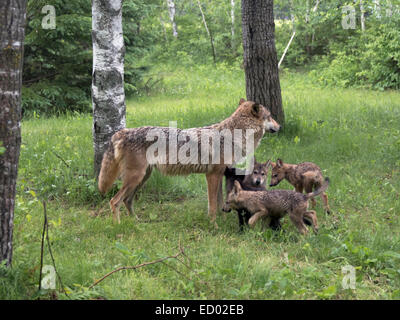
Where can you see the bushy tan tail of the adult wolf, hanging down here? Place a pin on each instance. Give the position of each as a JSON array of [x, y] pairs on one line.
[[109, 169]]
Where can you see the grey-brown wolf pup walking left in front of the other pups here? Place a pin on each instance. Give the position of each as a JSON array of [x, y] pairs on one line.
[[275, 204]]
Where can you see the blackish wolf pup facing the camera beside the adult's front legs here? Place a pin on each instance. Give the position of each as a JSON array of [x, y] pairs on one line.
[[255, 181]]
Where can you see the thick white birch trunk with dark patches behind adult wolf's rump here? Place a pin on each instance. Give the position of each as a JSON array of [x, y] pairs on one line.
[[108, 94]]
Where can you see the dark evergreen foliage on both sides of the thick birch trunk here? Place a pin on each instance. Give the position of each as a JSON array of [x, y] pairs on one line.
[[58, 63]]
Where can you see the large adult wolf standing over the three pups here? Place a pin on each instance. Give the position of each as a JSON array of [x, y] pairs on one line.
[[132, 155]]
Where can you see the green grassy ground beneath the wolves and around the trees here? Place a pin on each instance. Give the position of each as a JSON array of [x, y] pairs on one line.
[[353, 135]]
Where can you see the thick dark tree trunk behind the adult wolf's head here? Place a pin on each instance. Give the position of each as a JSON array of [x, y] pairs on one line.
[[260, 59]]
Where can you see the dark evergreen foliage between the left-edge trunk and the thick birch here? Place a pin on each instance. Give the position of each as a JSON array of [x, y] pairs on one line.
[[57, 66]]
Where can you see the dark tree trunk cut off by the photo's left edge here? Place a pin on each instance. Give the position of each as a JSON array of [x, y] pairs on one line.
[[12, 28]]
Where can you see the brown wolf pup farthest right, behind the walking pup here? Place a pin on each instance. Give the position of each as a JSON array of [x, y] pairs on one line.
[[306, 175]]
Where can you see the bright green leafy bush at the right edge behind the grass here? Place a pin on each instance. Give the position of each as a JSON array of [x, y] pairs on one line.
[[371, 59]]
